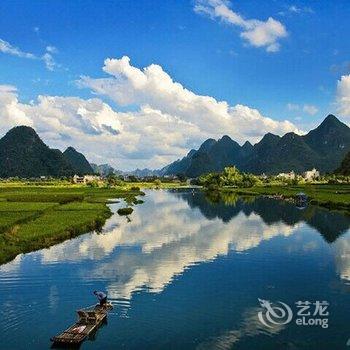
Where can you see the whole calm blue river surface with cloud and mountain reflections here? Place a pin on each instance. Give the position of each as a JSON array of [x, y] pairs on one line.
[[186, 273]]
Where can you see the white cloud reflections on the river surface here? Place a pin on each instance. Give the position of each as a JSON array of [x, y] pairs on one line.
[[166, 236]]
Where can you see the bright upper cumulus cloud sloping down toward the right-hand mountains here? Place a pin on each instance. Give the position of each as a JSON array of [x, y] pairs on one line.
[[152, 86]]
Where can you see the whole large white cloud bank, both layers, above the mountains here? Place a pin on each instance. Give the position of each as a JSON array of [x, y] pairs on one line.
[[162, 121]]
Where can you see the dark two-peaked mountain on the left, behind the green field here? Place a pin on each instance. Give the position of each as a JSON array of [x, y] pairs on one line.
[[24, 154]]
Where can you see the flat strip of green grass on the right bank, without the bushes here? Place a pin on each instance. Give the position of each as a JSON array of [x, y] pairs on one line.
[[329, 196]]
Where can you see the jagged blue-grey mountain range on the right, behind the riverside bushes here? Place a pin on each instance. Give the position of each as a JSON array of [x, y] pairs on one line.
[[322, 148]]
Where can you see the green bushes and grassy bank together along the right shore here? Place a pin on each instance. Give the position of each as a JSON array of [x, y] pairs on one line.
[[331, 191]]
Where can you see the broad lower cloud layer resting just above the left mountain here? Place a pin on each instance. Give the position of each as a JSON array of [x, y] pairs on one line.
[[128, 140]]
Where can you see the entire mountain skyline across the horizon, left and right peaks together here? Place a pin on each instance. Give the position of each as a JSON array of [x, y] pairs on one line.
[[24, 154]]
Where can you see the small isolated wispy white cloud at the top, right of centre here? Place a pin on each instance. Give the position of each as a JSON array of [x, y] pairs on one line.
[[257, 33]]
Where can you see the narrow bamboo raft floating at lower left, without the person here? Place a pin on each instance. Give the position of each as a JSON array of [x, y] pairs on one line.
[[89, 321]]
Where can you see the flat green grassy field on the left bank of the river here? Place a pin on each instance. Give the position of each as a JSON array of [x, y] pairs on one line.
[[33, 217]]
